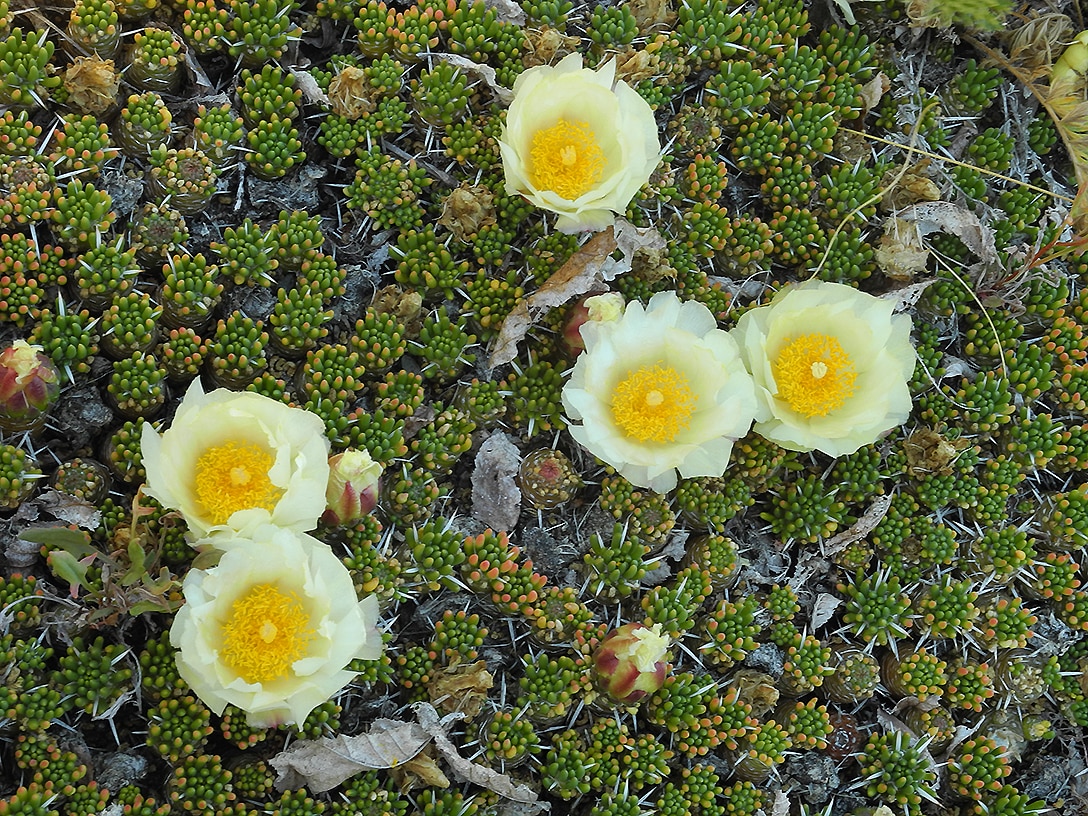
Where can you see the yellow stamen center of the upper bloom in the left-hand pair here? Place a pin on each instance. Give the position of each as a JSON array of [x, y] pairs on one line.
[[233, 477]]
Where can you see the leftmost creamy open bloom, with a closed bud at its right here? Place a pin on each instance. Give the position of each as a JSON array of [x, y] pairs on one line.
[[233, 460]]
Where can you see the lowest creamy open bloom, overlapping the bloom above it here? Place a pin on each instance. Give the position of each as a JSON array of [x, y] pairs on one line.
[[273, 628]]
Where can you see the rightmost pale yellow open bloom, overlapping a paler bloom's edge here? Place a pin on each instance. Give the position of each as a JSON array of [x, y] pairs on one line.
[[831, 366]]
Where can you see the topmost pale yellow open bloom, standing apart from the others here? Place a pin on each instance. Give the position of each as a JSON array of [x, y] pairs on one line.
[[578, 143]]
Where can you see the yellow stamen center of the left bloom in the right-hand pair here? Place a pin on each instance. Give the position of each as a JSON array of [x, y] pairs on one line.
[[653, 404]]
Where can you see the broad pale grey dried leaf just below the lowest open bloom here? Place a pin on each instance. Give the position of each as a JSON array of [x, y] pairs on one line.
[[322, 765]]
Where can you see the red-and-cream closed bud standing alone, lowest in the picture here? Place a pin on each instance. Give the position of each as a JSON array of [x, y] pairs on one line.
[[630, 662]]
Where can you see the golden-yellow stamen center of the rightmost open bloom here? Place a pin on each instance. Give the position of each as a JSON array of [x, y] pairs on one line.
[[814, 375]]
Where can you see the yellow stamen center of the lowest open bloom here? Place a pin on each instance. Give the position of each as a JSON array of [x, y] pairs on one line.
[[267, 633]]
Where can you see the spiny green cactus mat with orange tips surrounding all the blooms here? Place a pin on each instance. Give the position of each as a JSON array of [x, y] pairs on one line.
[[307, 201]]
